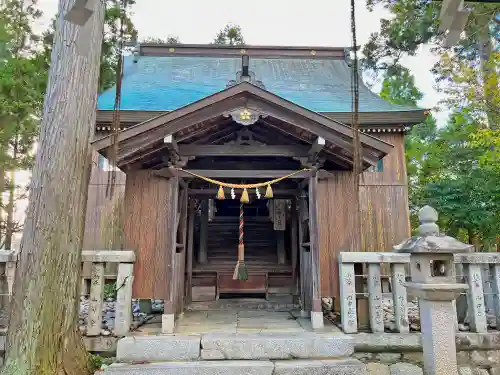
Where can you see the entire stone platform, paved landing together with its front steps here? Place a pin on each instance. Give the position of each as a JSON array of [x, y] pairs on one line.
[[237, 342]]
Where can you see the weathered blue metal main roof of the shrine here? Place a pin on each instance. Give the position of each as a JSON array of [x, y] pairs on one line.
[[168, 83]]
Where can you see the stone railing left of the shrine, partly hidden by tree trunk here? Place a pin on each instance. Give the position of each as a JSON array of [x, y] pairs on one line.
[[92, 289]]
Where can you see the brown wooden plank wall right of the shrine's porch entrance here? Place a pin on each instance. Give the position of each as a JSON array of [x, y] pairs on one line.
[[384, 212]]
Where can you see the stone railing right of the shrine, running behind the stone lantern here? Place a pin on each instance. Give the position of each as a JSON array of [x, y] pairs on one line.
[[481, 272]]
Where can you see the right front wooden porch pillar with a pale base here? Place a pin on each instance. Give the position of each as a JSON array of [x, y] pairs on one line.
[[316, 313]]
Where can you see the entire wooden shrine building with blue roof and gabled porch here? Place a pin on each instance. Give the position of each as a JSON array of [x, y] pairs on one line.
[[246, 115]]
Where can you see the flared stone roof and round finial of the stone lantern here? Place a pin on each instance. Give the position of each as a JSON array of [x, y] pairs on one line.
[[429, 240]]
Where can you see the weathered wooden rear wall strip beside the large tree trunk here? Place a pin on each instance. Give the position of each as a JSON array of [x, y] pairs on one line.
[[100, 207]]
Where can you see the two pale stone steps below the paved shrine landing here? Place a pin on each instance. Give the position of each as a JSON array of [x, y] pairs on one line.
[[296, 353]]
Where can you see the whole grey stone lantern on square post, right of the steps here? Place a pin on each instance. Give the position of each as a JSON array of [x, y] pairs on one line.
[[433, 281]]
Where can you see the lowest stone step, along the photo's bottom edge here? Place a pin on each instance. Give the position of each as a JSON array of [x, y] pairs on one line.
[[293, 367]]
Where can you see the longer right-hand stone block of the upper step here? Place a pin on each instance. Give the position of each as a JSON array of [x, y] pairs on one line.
[[276, 345]]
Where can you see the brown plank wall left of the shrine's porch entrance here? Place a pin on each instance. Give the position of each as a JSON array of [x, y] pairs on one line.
[[149, 230]]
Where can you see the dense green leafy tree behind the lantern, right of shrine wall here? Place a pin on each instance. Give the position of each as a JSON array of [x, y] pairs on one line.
[[466, 193]]
